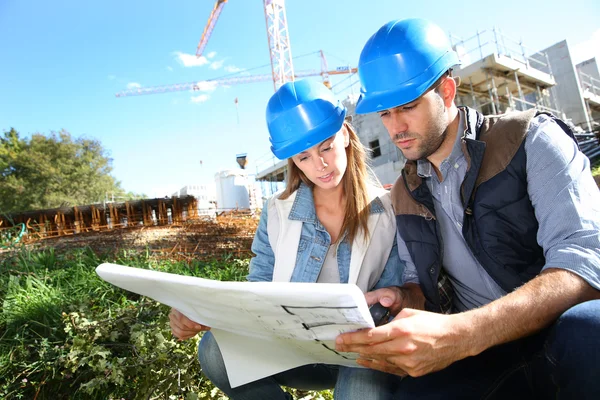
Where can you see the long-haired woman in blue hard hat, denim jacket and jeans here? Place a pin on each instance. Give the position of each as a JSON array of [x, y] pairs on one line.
[[329, 225]]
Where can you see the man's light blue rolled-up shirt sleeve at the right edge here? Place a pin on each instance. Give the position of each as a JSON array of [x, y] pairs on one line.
[[566, 200]]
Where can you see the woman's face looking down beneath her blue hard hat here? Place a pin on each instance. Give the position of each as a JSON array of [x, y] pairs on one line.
[[325, 164]]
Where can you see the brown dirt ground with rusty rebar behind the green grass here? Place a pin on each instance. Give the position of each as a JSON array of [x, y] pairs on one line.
[[229, 234]]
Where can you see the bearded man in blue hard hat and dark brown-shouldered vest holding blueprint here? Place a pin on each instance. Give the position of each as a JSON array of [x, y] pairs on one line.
[[499, 223]]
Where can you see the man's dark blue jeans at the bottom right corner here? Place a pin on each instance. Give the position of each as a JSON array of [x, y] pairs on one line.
[[561, 362]]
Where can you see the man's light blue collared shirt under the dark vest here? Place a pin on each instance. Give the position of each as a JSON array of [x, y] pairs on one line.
[[565, 198]]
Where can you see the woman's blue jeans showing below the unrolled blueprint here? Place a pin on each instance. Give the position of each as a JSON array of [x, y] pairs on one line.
[[350, 383]]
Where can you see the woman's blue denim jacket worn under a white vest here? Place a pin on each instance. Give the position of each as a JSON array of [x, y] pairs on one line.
[[313, 246]]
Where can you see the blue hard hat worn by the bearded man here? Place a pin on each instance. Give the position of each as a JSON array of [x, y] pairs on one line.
[[400, 62]]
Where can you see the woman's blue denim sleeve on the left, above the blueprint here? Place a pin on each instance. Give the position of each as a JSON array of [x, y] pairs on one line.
[[261, 266]]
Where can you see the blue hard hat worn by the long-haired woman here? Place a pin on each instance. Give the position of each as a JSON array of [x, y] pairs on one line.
[[300, 115]]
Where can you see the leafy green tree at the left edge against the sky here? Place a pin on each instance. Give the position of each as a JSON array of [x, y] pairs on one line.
[[52, 171]]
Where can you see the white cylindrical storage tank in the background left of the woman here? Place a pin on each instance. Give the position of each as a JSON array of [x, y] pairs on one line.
[[232, 189]]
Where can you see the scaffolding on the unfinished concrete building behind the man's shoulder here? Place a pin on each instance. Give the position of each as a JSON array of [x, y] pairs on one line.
[[499, 74]]
